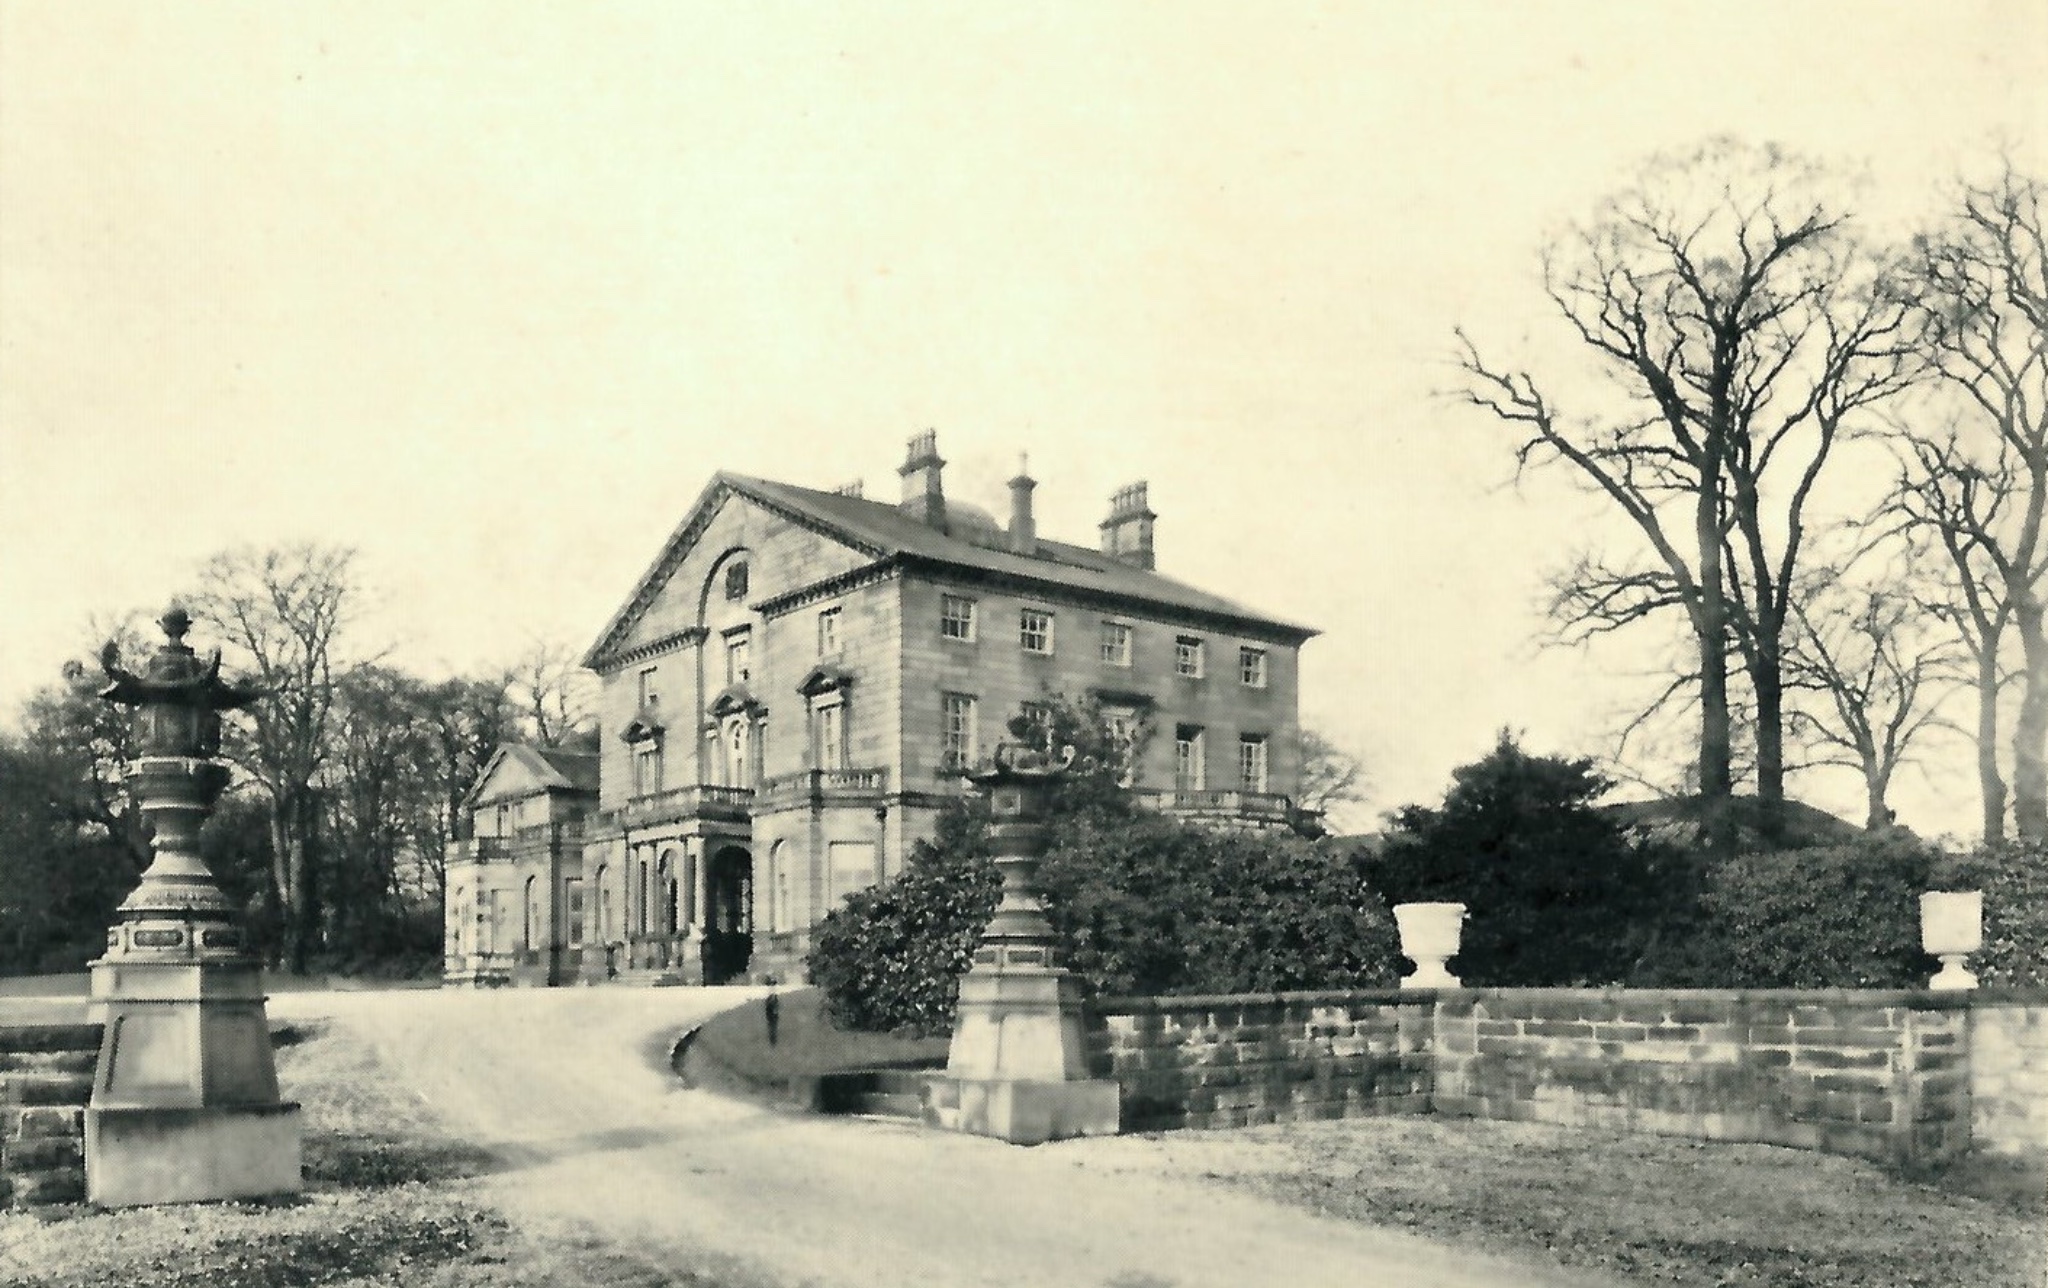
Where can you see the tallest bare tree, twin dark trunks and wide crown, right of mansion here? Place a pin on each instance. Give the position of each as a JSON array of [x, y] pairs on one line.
[[1740, 329]]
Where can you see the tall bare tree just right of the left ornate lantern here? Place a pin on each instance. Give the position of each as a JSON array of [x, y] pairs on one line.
[[282, 613]]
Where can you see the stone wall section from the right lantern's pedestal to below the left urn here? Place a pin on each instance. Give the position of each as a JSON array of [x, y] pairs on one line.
[[1281, 1058]]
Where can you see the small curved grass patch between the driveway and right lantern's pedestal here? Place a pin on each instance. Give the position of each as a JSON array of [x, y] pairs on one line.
[[732, 1051]]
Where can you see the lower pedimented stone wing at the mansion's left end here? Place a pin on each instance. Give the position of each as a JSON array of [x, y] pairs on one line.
[[517, 884]]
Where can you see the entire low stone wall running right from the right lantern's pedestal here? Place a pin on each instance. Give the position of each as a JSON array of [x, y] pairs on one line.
[[1897, 1076]]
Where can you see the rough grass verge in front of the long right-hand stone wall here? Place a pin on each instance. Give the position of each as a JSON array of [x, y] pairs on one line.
[[1652, 1209]]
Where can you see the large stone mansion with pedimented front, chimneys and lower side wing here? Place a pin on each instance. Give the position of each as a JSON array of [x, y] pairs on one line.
[[787, 693]]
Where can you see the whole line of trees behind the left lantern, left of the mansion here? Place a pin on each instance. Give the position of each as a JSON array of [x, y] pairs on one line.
[[349, 775]]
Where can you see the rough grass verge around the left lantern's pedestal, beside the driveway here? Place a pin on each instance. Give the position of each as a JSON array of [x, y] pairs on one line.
[[392, 1199]]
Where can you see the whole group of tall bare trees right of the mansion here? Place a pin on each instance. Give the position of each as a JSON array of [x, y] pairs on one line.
[[1742, 343]]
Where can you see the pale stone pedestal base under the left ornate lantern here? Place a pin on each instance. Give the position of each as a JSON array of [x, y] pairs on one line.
[[185, 1103]]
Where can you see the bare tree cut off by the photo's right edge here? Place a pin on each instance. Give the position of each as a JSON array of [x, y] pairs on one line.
[[1977, 488]]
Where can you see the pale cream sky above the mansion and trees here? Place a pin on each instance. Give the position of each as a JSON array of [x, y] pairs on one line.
[[490, 290]]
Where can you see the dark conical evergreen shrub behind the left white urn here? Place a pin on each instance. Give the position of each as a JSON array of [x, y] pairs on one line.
[[1555, 890]]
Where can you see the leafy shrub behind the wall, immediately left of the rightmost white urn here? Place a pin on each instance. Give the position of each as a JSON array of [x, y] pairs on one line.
[[1830, 918]]
